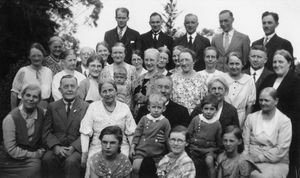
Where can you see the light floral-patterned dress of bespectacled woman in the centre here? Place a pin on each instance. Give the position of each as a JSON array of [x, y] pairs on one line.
[[188, 91]]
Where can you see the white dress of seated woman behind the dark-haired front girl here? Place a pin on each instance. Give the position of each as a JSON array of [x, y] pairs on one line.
[[97, 118]]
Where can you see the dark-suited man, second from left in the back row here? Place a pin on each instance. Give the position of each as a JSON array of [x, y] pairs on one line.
[[155, 38]]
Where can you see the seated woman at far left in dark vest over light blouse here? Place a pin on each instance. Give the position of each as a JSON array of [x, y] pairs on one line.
[[22, 135]]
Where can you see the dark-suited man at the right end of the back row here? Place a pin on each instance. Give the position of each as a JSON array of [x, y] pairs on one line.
[[271, 41]]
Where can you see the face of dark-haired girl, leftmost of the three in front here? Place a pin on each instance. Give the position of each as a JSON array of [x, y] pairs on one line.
[[110, 145]]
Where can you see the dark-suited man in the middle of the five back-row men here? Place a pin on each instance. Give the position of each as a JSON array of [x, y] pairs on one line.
[[193, 40]]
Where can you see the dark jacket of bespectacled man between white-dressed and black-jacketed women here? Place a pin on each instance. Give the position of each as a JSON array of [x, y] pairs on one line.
[[265, 73]]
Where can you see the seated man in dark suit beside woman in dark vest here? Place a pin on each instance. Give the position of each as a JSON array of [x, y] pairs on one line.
[[61, 132]]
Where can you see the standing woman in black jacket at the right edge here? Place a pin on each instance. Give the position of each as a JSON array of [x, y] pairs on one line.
[[287, 84]]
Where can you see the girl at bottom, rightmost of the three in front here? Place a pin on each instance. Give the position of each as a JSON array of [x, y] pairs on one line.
[[231, 163]]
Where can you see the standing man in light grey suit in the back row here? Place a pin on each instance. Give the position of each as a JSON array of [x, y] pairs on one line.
[[230, 40]]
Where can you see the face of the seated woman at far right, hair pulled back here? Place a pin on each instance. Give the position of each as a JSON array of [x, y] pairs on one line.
[[267, 102]]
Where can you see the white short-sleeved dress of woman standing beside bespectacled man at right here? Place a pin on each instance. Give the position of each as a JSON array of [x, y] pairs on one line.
[[241, 93]]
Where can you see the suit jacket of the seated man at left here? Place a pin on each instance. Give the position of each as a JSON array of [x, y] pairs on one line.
[[60, 129]]
